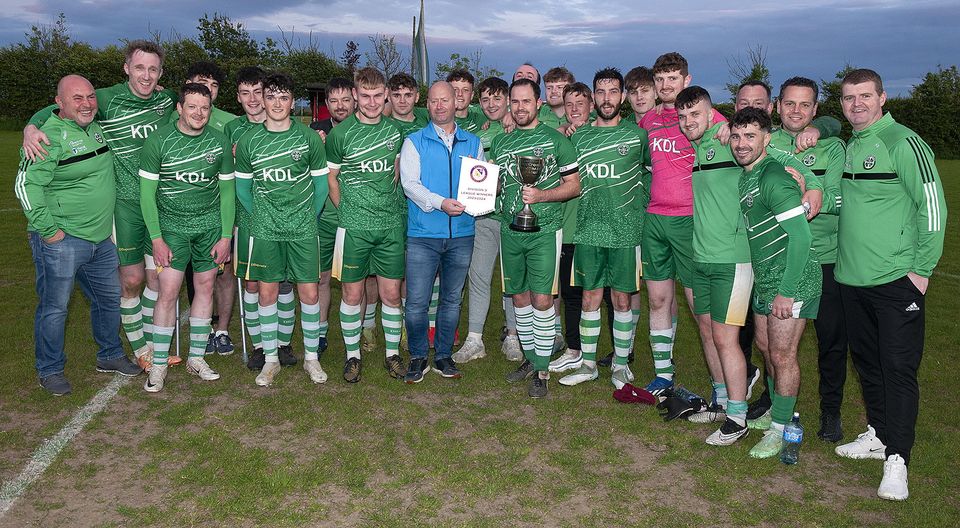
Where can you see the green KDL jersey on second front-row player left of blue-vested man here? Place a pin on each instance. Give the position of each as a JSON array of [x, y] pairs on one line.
[[282, 181]]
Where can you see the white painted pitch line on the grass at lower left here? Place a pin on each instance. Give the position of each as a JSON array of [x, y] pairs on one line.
[[48, 451]]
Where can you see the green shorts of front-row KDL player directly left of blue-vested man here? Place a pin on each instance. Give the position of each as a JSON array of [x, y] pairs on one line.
[[359, 253]]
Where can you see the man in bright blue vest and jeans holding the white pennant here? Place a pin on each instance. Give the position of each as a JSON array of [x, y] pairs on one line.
[[439, 234]]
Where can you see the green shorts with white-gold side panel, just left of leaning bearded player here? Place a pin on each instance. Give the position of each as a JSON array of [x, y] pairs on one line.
[[723, 291]]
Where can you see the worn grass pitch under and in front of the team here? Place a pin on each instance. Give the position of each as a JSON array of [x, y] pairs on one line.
[[473, 452]]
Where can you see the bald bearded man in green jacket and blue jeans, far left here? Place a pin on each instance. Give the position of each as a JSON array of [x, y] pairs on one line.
[[68, 198]]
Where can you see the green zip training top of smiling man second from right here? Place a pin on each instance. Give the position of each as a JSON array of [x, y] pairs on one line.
[[825, 160]]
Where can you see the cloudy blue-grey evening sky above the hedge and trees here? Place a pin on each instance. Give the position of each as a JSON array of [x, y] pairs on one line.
[[902, 40]]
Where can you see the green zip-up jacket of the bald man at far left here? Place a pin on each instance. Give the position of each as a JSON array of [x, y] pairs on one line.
[[71, 189]]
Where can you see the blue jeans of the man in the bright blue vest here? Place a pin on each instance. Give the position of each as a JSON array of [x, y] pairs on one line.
[[425, 256]]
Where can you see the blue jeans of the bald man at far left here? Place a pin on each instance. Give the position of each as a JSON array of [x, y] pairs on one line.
[[96, 267]]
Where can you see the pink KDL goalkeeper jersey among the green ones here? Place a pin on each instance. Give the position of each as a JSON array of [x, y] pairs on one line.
[[672, 155]]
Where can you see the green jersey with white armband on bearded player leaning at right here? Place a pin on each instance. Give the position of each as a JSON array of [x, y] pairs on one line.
[[783, 261]]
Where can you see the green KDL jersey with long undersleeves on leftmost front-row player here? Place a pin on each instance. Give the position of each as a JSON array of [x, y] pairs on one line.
[[182, 176]]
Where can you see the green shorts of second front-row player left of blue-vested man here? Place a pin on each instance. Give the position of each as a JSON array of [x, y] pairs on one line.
[[287, 260]]
